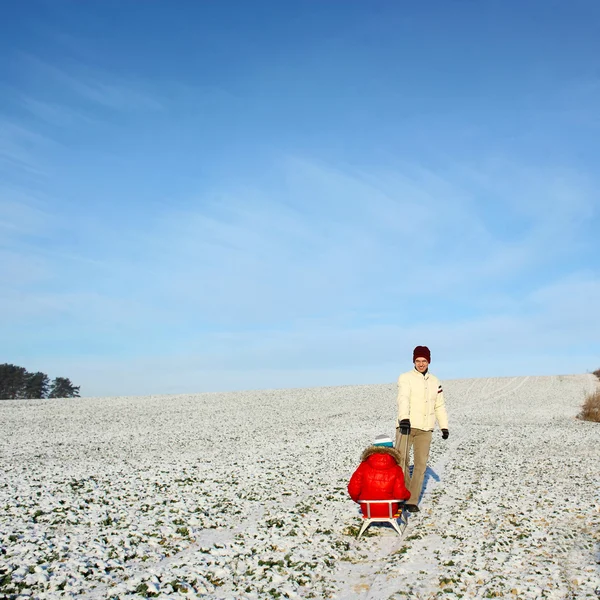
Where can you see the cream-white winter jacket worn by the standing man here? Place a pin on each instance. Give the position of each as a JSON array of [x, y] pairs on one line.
[[421, 399]]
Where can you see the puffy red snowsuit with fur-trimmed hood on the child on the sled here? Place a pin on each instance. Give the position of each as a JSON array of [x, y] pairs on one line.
[[378, 477]]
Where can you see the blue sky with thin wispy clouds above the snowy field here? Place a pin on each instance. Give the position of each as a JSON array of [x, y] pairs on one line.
[[201, 196]]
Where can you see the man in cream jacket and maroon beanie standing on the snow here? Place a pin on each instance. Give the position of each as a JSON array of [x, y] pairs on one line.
[[420, 404]]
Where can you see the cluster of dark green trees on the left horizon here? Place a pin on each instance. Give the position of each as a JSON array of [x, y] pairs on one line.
[[17, 382]]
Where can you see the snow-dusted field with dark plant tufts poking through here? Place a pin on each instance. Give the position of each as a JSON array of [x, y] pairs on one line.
[[243, 495]]
